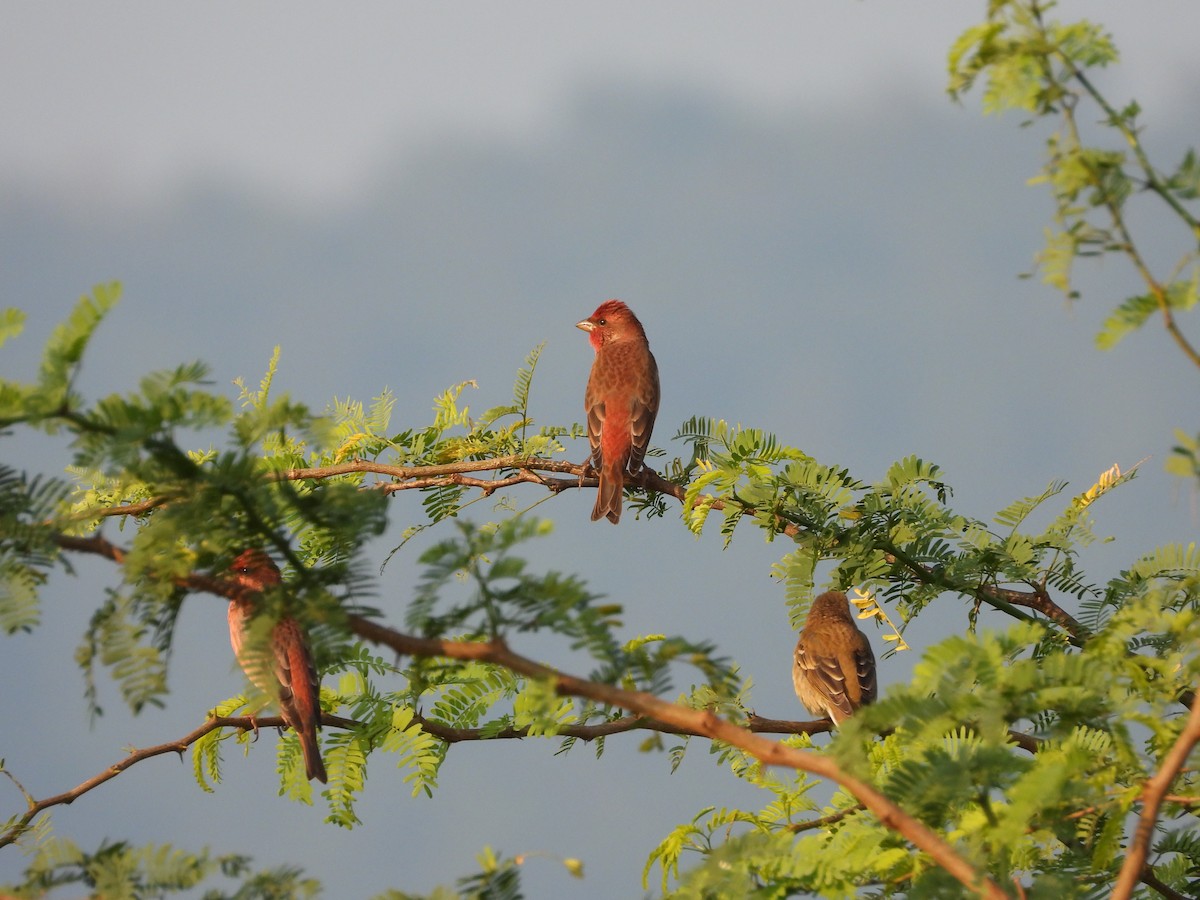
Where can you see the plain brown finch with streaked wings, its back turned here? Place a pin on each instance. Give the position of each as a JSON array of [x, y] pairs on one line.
[[835, 669]]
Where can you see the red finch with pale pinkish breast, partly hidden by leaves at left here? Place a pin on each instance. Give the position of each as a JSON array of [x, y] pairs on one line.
[[285, 669]]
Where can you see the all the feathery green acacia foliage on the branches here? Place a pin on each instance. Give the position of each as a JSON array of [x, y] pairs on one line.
[[1095, 675]]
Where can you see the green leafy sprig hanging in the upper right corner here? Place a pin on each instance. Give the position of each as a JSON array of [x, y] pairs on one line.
[[1101, 183]]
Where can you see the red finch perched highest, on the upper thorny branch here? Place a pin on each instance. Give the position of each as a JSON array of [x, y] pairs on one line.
[[621, 401]]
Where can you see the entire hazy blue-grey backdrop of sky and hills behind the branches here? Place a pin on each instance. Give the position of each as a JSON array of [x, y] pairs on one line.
[[411, 196]]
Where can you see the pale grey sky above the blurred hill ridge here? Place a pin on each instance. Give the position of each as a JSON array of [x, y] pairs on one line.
[[307, 99]]
